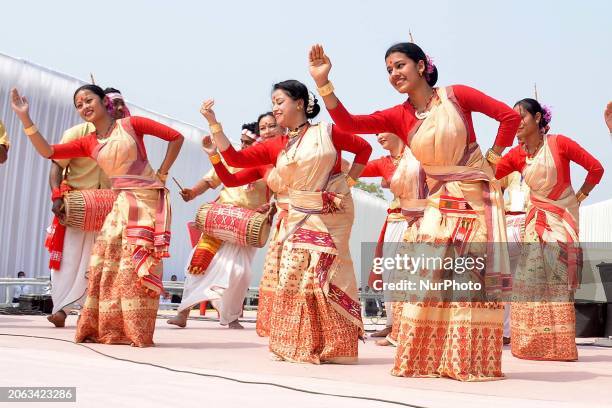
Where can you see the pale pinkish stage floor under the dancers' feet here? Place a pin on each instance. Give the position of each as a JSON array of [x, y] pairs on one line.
[[205, 347]]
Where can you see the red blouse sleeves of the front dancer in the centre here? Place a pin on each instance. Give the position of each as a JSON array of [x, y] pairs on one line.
[[266, 152]]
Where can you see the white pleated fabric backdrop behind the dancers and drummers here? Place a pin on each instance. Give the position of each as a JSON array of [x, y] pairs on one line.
[[25, 206]]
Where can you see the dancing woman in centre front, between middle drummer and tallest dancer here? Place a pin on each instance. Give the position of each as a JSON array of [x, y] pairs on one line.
[[316, 315]]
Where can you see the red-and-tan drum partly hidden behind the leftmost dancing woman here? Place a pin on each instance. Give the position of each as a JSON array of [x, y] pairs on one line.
[[87, 209]]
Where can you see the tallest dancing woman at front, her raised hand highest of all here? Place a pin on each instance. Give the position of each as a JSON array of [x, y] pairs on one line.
[[442, 337]]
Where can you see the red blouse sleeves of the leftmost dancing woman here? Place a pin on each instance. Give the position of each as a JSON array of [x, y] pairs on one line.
[[85, 146]]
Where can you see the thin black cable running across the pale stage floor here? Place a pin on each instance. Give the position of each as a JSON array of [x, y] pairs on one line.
[[218, 376]]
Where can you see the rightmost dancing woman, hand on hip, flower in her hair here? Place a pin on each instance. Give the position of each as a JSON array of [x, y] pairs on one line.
[[543, 322]]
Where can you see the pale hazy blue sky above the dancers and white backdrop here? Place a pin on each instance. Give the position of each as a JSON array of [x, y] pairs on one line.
[[168, 56]]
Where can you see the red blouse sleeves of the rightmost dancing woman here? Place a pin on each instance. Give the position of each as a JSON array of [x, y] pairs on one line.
[[568, 150]]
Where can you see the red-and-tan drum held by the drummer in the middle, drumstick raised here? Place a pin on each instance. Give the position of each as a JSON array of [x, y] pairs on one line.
[[233, 224]]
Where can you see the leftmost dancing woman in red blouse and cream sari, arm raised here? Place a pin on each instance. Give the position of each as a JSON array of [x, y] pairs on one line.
[[125, 268]]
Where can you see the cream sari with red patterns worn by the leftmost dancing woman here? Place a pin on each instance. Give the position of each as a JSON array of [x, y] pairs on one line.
[[125, 271]]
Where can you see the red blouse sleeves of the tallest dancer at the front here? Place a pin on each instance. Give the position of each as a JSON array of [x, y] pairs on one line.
[[400, 119]]
